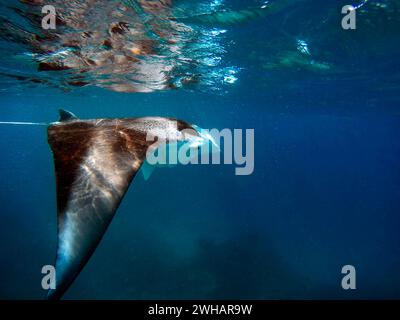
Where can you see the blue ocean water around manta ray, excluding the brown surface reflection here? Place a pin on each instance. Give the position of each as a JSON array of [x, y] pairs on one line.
[[325, 191]]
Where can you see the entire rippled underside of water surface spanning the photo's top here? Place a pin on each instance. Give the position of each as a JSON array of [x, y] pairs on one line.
[[142, 46]]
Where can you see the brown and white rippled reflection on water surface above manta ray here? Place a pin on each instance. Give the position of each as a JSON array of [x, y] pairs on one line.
[[130, 46]]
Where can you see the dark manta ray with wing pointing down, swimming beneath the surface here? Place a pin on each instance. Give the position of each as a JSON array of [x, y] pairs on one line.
[[95, 162]]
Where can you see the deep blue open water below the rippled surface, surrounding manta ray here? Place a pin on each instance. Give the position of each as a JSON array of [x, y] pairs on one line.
[[324, 193]]
